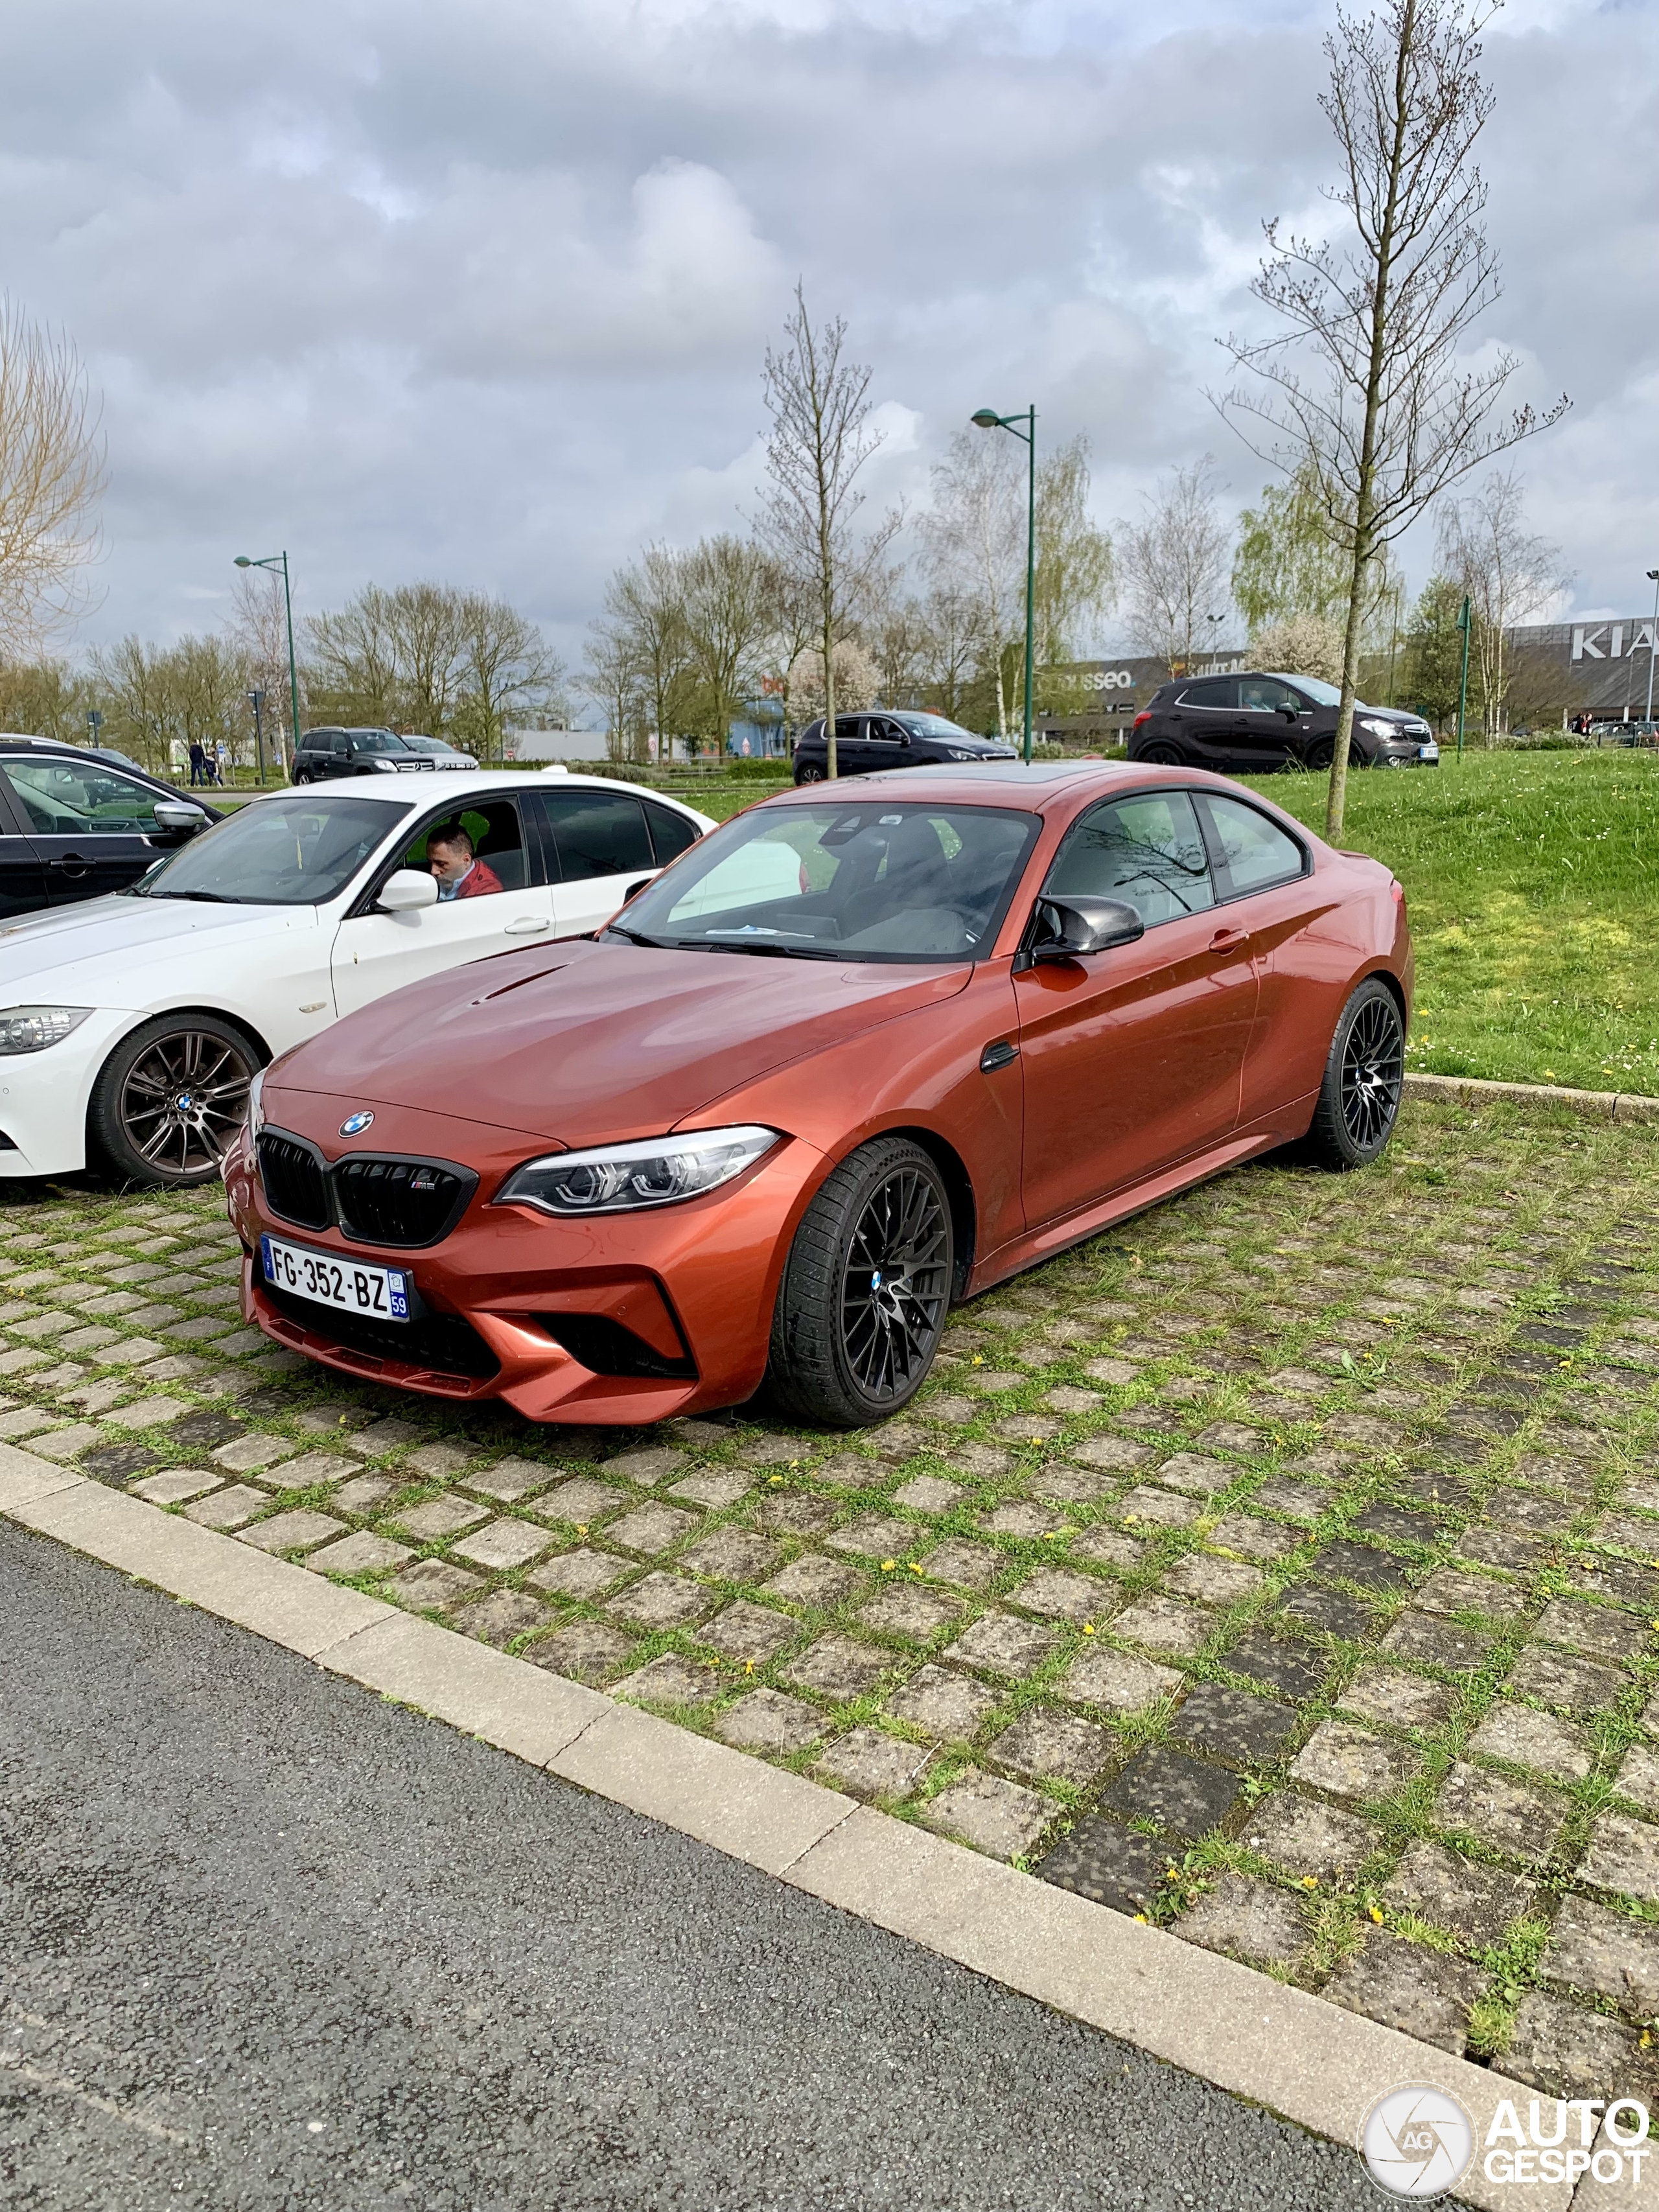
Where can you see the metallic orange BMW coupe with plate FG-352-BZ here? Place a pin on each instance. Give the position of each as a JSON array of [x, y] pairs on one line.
[[853, 1058]]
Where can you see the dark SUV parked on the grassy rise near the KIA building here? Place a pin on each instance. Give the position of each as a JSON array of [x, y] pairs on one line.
[[1253, 724]]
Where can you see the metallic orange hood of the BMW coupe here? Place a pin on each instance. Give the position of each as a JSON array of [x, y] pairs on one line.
[[592, 1043]]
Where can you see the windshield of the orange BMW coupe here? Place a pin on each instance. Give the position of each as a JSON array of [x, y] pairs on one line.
[[844, 881]]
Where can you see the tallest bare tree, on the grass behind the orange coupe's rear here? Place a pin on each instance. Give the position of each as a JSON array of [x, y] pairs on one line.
[[1364, 382]]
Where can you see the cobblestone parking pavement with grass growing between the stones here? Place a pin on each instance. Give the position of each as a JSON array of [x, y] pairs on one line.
[[1282, 1567]]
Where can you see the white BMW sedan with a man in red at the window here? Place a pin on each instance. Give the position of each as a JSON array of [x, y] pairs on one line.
[[134, 1025]]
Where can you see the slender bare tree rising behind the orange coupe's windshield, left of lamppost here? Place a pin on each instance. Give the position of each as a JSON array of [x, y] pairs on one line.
[[820, 441]]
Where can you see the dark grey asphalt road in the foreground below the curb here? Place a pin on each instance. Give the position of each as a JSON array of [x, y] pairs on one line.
[[269, 1943]]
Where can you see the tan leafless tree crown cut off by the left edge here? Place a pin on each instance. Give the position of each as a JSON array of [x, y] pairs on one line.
[[52, 474]]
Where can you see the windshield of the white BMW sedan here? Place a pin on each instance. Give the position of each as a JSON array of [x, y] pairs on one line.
[[278, 853]]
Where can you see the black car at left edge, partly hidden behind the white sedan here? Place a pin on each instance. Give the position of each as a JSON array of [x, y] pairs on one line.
[[74, 826]]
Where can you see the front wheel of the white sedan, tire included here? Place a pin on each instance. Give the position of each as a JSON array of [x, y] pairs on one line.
[[169, 1100]]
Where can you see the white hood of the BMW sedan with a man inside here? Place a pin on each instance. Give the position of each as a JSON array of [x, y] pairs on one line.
[[105, 952]]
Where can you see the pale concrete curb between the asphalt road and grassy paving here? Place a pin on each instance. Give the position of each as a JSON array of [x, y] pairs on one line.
[[1300, 2056]]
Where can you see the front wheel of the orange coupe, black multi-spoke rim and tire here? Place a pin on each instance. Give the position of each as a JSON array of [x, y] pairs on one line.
[[866, 1291]]
